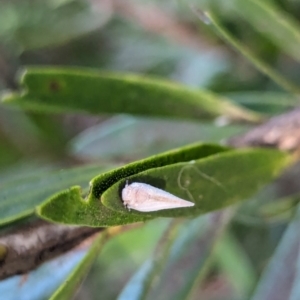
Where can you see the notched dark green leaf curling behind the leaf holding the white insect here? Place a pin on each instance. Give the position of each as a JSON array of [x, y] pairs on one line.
[[70, 208]]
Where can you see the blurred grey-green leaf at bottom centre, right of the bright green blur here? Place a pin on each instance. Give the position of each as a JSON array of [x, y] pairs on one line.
[[190, 256]]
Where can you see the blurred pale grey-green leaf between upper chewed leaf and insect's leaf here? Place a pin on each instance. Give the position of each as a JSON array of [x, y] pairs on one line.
[[141, 137]]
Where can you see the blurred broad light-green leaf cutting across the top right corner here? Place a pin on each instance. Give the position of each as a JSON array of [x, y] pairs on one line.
[[274, 23]]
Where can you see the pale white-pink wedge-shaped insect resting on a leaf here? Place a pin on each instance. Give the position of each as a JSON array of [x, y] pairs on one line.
[[144, 197]]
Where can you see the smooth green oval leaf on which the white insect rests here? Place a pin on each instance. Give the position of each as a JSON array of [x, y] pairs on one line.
[[211, 183]]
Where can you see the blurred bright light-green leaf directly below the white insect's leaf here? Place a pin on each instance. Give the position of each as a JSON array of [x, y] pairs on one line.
[[122, 256]]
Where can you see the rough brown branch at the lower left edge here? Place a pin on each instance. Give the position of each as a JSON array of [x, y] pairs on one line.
[[24, 248]]
